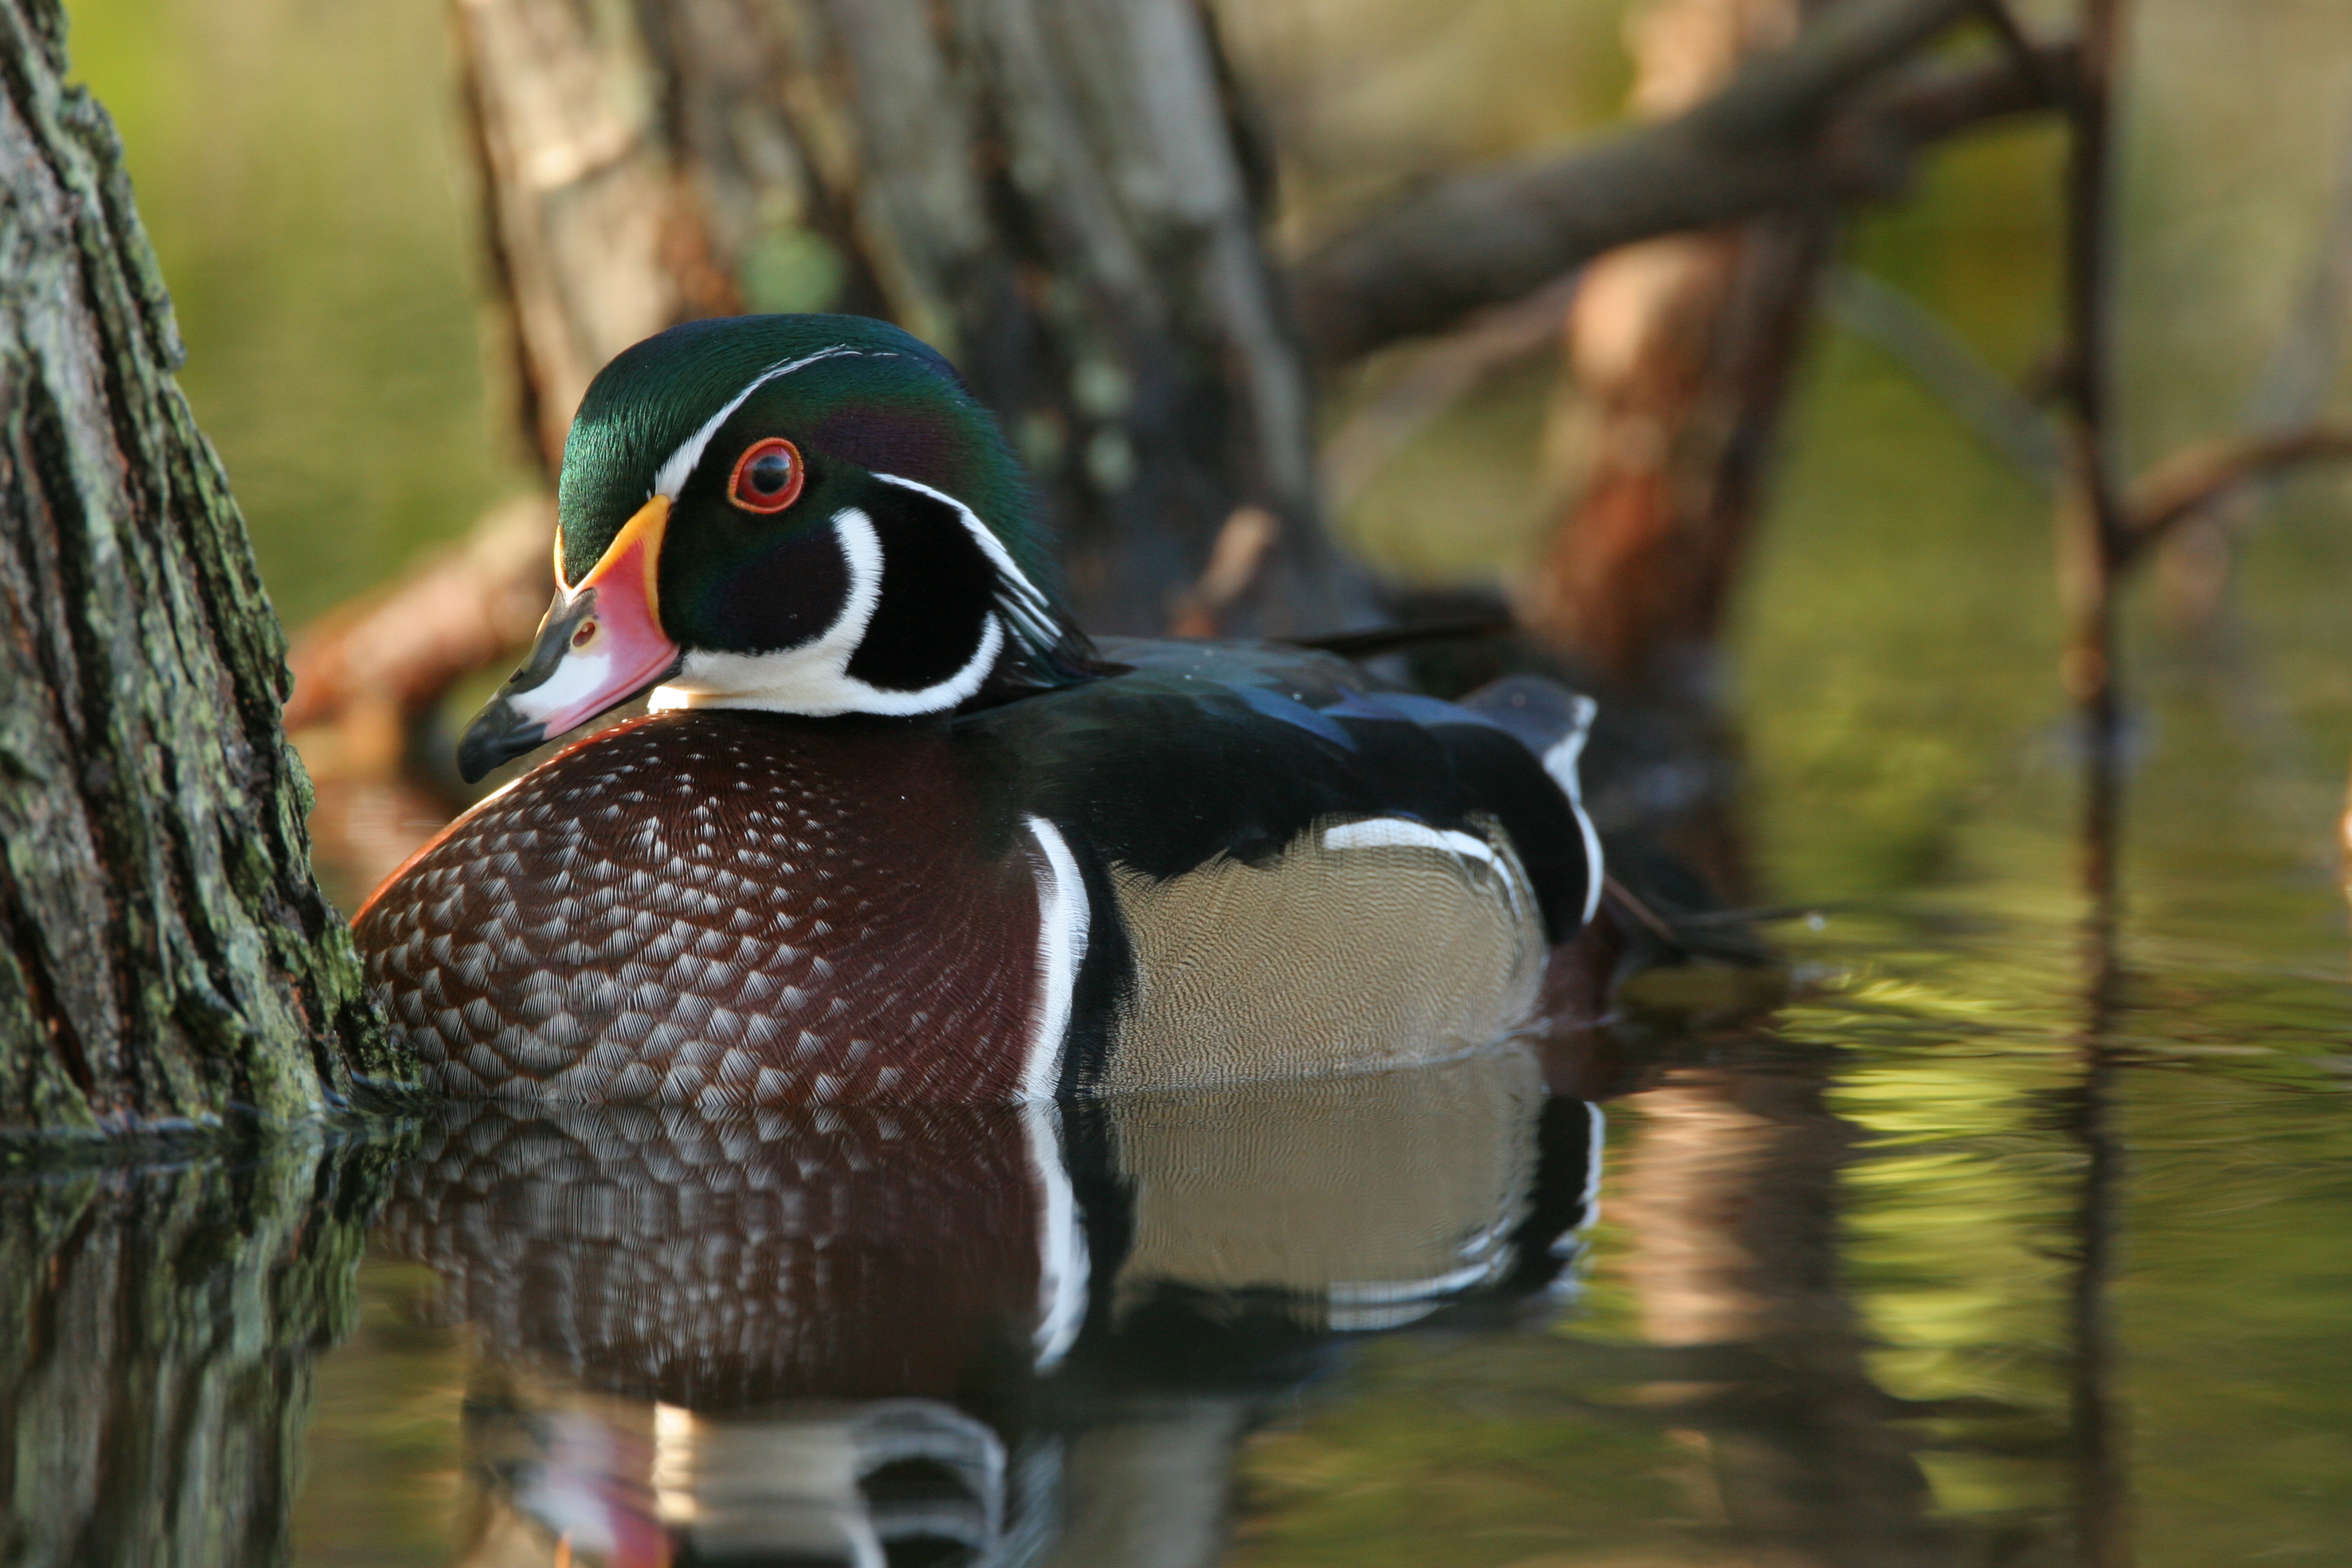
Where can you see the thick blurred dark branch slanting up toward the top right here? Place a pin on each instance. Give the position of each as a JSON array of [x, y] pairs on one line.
[[1791, 130]]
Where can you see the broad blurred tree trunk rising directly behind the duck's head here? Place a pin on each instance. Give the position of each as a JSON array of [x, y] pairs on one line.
[[1060, 194]]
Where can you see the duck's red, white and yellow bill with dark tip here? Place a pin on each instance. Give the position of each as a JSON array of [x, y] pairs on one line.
[[599, 648]]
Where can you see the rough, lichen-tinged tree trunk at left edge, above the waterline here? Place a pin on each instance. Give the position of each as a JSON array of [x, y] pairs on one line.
[[163, 949]]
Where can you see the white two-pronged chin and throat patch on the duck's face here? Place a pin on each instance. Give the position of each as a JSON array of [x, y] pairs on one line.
[[815, 678]]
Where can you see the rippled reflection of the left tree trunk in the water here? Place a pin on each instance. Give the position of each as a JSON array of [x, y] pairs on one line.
[[159, 1329]]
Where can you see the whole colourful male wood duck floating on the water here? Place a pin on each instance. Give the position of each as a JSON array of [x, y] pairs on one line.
[[897, 833]]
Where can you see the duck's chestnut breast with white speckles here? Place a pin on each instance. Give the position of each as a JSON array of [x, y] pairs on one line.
[[723, 911]]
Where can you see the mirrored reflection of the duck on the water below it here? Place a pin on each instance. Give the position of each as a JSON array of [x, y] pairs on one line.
[[954, 1334]]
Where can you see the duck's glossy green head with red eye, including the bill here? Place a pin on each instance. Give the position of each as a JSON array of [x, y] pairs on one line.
[[801, 514]]
